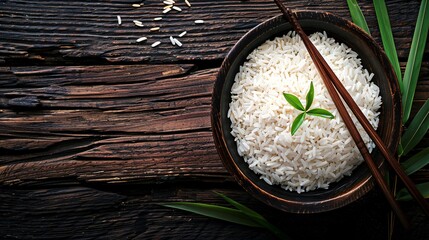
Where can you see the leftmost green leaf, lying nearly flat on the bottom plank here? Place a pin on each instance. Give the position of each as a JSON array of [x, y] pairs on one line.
[[214, 211]]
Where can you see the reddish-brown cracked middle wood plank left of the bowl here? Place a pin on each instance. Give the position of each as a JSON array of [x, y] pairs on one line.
[[115, 124]]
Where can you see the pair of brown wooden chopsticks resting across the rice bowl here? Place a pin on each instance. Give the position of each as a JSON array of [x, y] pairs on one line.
[[333, 85]]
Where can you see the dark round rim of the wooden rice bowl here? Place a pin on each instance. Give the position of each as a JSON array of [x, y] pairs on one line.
[[288, 205]]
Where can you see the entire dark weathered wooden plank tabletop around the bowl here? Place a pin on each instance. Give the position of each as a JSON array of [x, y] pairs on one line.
[[95, 128]]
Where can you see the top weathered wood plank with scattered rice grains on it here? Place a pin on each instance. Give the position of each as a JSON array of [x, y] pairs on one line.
[[71, 31]]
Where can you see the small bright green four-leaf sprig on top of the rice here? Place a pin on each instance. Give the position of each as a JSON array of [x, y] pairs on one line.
[[296, 103]]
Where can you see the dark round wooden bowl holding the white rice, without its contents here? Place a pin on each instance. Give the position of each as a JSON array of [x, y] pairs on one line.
[[373, 58]]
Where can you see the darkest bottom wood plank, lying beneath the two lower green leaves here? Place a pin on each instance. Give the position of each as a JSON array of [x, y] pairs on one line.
[[86, 213]]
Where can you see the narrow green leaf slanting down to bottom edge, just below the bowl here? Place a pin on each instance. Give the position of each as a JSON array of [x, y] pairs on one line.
[[256, 217]]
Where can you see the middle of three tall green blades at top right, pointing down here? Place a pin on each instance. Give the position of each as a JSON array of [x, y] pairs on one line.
[[387, 38]]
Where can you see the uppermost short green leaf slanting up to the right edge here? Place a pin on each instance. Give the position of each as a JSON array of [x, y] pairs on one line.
[[417, 130]]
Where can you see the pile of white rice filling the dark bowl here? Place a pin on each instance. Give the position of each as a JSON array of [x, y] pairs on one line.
[[322, 150]]
